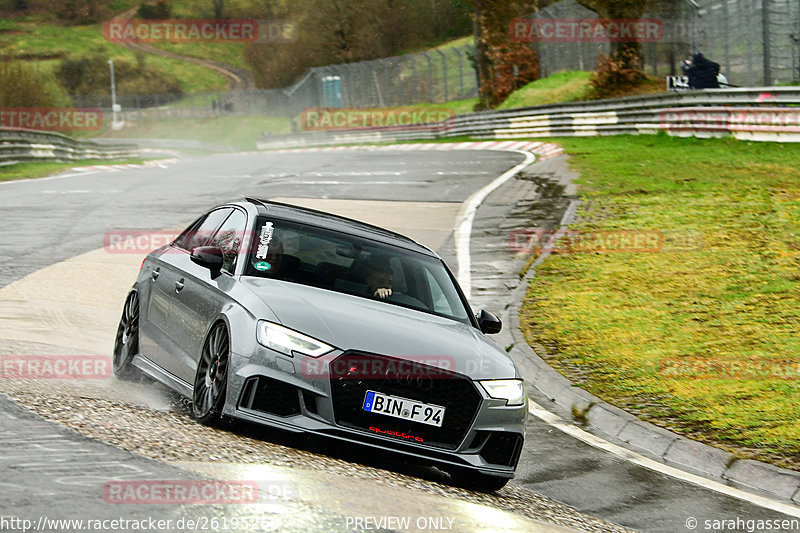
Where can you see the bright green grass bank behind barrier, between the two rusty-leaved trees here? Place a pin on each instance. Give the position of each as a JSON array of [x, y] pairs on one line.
[[560, 87]]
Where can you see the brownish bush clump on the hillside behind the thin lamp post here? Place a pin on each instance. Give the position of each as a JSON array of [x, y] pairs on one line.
[[91, 75]]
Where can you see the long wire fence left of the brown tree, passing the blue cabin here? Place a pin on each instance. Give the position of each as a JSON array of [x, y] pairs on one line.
[[436, 76]]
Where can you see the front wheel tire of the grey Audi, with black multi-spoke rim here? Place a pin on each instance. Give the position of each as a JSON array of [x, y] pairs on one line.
[[211, 378]]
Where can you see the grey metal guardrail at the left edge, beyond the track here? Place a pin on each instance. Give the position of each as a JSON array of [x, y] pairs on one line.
[[30, 145]]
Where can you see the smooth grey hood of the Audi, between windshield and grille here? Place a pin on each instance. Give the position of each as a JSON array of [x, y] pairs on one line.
[[354, 323]]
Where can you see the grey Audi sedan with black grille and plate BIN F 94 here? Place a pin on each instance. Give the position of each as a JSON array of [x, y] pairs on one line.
[[311, 322]]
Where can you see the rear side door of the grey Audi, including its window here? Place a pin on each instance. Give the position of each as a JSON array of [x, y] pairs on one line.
[[170, 282]]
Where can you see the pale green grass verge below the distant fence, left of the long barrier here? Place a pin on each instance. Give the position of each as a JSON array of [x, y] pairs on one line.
[[238, 131]]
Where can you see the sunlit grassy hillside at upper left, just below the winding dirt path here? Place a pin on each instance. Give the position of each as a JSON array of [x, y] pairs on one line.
[[50, 42]]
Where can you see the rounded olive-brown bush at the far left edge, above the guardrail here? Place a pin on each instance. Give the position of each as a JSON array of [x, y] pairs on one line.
[[22, 85]]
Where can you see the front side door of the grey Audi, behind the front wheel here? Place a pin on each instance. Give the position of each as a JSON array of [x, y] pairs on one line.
[[203, 294]]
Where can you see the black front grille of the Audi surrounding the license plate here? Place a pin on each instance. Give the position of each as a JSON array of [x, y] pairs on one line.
[[355, 373]]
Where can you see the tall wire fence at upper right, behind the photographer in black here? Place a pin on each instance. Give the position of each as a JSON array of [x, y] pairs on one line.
[[756, 42]]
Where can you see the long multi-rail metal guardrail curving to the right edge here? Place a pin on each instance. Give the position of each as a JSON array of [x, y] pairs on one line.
[[758, 114]]
